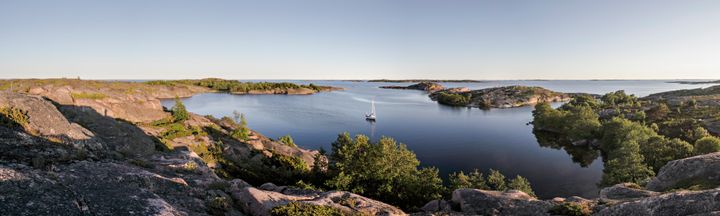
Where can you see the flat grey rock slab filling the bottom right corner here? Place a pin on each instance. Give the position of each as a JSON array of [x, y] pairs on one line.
[[677, 203]]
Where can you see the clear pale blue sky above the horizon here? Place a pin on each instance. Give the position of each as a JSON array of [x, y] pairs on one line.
[[361, 39]]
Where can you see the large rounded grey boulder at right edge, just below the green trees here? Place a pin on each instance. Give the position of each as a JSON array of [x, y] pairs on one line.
[[702, 169]]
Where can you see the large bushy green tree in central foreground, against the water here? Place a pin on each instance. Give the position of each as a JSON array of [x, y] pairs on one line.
[[384, 170]]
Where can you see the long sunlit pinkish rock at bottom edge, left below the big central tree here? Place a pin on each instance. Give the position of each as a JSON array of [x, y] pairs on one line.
[[259, 202]]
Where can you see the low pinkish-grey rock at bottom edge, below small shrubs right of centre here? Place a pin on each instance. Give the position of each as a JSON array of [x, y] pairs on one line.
[[482, 202]]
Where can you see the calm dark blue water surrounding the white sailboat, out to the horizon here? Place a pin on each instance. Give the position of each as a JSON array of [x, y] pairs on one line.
[[449, 138]]
